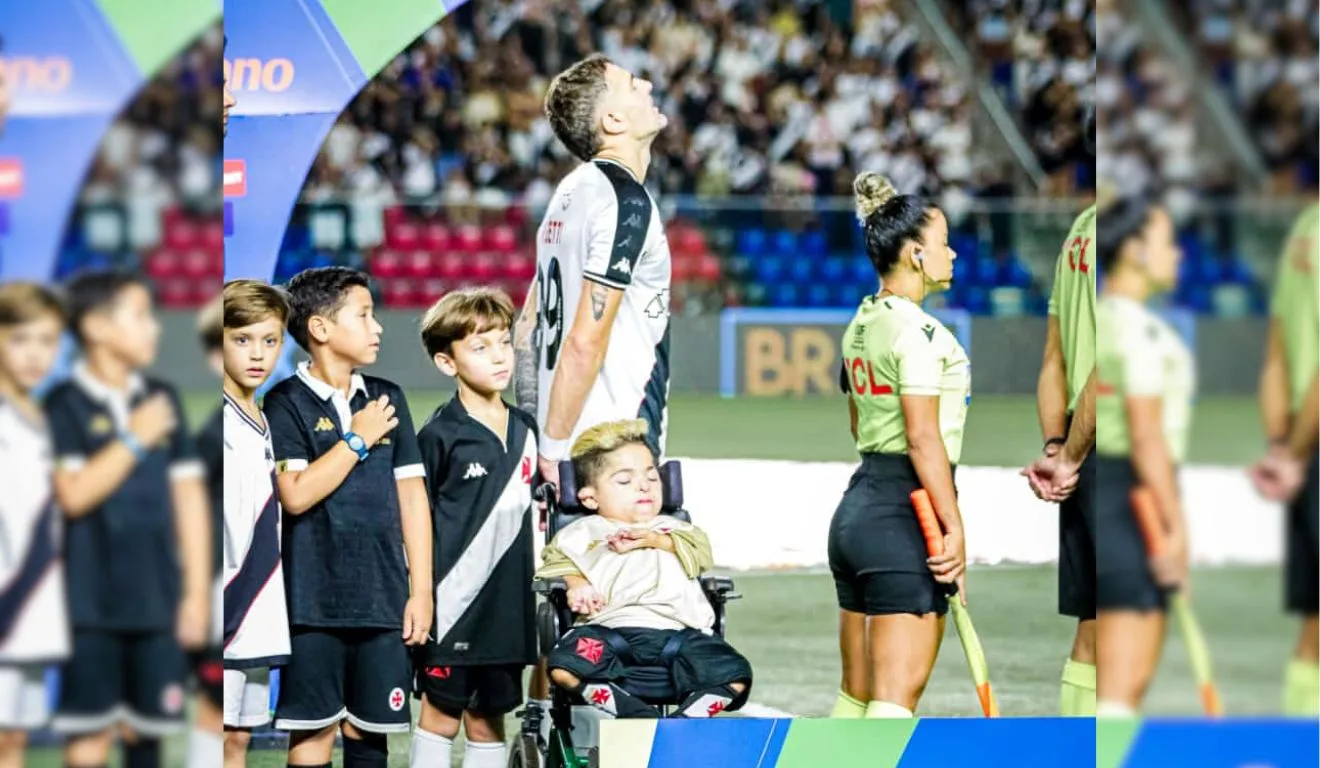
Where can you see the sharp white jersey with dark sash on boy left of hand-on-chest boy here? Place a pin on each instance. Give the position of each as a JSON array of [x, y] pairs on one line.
[[257, 621]]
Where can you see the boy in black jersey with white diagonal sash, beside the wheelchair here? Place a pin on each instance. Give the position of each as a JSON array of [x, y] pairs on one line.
[[481, 459]]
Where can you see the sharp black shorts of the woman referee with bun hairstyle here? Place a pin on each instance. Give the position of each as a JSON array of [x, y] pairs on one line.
[[877, 552]]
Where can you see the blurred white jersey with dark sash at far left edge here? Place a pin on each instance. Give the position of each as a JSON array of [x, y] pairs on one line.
[[34, 617]]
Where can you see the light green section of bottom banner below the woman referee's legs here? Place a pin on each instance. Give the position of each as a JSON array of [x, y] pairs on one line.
[[814, 744]]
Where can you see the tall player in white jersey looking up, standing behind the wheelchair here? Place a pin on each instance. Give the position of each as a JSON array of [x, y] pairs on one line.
[[601, 300]]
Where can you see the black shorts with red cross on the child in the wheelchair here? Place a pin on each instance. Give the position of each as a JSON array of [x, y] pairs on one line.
[[703, 662]]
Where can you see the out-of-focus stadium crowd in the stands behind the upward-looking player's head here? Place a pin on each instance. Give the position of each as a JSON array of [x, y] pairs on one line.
[[765, 98]]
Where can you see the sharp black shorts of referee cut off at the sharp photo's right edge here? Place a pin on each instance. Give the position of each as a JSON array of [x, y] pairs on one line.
[[1078, 546]]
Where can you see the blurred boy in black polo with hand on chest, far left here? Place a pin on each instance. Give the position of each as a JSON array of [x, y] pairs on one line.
[[130, 485]]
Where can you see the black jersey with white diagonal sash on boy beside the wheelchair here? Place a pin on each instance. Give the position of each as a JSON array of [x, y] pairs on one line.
[[481, 503]]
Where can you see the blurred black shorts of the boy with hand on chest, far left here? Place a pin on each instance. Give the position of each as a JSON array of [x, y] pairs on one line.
[[130, 678]]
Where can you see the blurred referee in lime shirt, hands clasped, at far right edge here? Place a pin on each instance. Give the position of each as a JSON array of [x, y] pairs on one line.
[[1290, 473]]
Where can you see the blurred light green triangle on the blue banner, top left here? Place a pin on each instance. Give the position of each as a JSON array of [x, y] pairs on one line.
[[155, 31]]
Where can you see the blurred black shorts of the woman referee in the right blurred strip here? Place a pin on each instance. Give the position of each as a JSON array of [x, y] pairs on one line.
[[1124, 579]]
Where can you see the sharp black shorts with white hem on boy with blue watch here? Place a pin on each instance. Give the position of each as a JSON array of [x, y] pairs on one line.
[[364, 676]]
